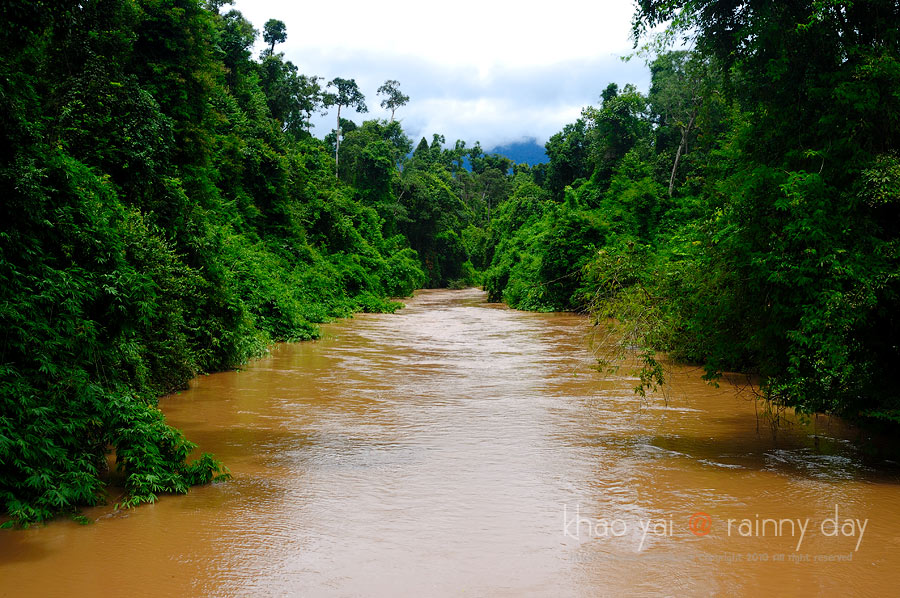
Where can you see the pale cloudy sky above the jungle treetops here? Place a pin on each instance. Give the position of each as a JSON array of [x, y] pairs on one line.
[[486, 70]]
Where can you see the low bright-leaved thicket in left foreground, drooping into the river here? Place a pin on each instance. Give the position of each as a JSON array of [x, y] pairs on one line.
[[94, 313]]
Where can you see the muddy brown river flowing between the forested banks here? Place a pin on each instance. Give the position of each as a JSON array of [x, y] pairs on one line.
[[459, 448]]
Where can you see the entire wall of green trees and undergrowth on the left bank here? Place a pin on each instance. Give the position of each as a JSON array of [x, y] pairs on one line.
[[164, 214]]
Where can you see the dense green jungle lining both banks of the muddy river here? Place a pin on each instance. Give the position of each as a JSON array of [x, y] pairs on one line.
[[168, 209]]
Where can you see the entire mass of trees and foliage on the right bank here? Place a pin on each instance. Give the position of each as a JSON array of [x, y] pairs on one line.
[[742, 215]]
